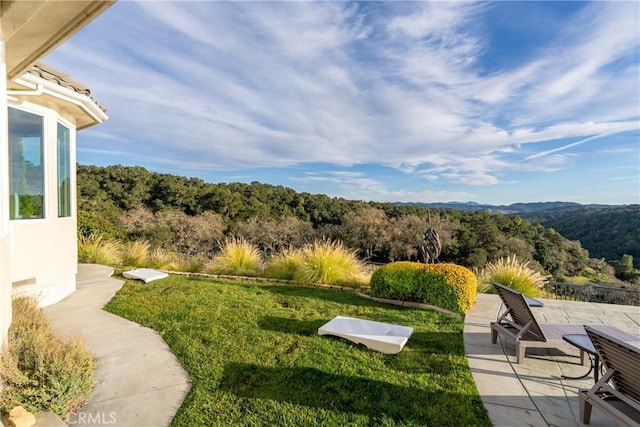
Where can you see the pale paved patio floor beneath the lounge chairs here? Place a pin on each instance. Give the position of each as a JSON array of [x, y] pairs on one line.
[[533, 393]]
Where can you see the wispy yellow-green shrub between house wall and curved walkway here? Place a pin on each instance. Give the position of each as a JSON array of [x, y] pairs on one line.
[[38, 370]]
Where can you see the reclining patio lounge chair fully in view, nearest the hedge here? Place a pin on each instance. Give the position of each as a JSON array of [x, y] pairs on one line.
[[520, 325]]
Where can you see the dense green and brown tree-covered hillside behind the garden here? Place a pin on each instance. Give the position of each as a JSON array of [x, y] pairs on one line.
[[190, 216]]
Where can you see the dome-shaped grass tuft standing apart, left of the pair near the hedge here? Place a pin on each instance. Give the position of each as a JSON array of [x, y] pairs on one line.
[[238, 257]]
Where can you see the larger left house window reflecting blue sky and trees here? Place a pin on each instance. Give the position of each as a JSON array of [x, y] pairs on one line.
[[26, 166]]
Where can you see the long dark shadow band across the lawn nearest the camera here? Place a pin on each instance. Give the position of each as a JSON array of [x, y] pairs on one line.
[[317, 389]]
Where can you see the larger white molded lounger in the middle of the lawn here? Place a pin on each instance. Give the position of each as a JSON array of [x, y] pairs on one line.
[[383, 337]]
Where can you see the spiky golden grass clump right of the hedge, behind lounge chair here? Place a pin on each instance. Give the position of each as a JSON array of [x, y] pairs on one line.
[[511, 272]]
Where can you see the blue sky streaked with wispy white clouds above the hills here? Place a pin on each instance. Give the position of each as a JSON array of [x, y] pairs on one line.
[[496, 102]]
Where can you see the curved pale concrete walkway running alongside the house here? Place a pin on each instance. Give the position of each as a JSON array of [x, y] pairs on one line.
[[139, 382]]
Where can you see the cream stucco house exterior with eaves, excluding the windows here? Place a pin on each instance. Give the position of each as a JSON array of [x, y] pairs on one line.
[[39, 256]]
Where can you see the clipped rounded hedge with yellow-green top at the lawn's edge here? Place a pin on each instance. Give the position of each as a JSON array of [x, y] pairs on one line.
[[444, 285]]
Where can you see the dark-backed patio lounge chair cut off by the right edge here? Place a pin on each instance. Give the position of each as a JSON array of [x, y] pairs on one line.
[[617, 394]]
